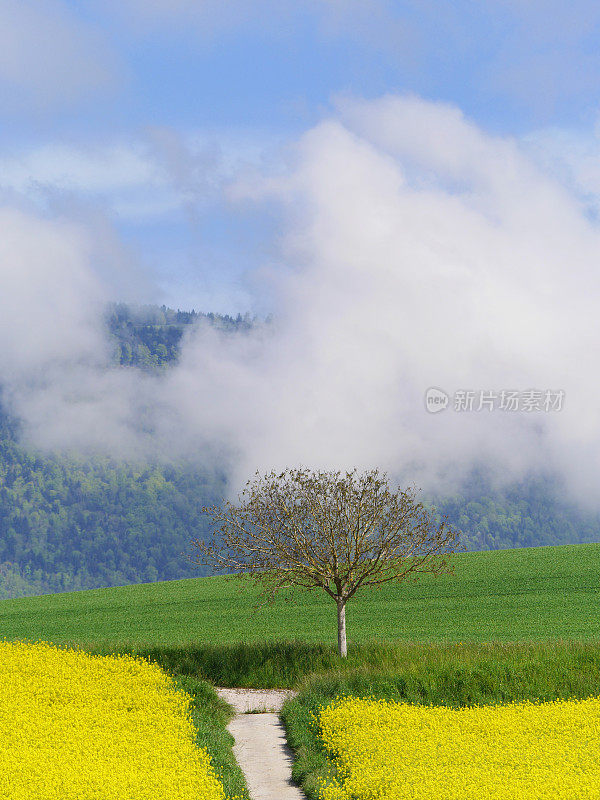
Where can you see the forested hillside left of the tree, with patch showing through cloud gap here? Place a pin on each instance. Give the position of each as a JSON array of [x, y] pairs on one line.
[[68, 524]]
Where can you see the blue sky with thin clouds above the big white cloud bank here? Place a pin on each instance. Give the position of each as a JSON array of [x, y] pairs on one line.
[[137, 115]]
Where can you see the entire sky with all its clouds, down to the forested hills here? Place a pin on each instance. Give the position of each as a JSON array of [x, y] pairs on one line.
[[411, 189]]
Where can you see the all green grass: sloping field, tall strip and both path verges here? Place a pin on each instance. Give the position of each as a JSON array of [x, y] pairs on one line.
[[508, 626]]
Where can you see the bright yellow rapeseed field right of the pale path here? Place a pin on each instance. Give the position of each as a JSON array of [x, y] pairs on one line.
[[524, 751]]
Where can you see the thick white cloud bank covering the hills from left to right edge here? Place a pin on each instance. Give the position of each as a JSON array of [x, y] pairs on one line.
[[417, 251]]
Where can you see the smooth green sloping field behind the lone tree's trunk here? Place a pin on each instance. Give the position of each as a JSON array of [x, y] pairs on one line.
[[530, 593]]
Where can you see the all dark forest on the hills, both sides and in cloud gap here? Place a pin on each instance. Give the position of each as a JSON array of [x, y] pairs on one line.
[[69, 524]]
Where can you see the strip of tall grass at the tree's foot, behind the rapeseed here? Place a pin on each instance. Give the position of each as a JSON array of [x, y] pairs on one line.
[[420, 671]]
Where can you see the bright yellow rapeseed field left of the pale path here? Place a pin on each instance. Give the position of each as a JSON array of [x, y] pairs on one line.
[[80, 727]]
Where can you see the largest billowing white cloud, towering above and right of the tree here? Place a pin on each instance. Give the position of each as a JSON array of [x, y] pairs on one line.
[[424, 252]]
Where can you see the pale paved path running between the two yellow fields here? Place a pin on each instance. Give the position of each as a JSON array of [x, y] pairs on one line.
[[260, 746]]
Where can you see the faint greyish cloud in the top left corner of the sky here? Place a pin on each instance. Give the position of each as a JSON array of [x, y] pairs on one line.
[[49, 58]]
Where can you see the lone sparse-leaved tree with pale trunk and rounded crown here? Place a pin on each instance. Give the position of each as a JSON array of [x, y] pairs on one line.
[[320, 530]]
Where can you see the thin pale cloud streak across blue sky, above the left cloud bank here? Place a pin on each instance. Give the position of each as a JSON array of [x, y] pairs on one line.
[[142, 178]]
